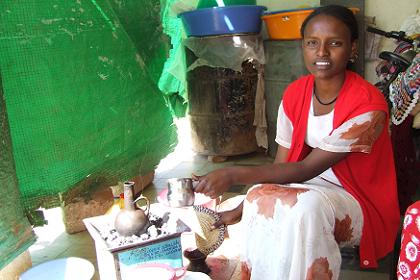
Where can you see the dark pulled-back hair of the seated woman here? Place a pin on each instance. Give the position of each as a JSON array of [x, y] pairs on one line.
[[341, 13]]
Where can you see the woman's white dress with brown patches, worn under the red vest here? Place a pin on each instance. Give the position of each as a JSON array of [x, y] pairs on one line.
[[294, 231]]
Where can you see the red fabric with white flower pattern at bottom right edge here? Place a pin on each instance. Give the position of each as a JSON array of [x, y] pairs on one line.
[[409, 261]]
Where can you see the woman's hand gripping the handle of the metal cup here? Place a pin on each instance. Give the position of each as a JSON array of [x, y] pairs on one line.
[[213, 184]]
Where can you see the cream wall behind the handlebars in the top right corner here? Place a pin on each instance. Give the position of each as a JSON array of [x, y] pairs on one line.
[[389, 16]]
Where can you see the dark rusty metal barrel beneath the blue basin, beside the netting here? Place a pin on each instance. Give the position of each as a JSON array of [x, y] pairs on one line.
[[221, 108]]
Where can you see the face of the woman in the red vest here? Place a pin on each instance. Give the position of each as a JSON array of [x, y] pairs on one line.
[[327, 47]]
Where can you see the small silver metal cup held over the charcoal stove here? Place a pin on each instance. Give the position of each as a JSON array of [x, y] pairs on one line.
[[180, 192]]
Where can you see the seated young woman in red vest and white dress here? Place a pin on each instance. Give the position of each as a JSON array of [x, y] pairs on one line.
[[333, 182]]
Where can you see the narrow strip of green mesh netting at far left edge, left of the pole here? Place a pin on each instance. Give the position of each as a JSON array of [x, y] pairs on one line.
[[15, 232]]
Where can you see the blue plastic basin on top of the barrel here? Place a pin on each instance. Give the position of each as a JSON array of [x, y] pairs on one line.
[[223, 20]]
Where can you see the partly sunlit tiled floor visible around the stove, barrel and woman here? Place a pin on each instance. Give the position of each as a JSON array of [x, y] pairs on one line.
[[53, 242]]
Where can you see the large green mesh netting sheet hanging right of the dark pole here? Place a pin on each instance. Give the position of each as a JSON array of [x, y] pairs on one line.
[[79, 79]]
